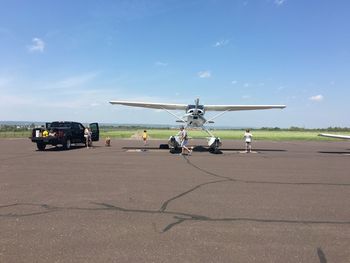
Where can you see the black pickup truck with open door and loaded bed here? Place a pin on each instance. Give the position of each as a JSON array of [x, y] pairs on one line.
[[62, 133]]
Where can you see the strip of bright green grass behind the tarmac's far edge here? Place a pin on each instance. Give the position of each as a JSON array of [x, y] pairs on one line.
[[223, 134]]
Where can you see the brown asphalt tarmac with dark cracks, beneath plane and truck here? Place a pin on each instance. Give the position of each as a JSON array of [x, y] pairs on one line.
[[286, 202]]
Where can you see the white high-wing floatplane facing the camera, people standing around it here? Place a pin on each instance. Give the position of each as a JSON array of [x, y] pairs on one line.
[[194, 116]]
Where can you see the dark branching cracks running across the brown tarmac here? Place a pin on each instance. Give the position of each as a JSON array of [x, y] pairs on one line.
[[180, 217]]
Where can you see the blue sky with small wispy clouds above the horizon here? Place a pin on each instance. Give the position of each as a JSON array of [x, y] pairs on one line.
[[64, 60]]
